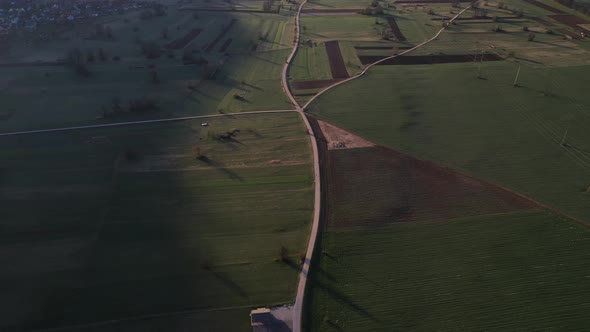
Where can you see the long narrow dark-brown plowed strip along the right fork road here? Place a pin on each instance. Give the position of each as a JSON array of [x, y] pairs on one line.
[[427, 59]]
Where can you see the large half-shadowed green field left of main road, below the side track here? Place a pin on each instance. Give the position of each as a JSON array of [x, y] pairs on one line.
[[127, 222]]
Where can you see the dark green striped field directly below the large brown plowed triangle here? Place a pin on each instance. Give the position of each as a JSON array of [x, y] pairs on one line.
[[513, 272]]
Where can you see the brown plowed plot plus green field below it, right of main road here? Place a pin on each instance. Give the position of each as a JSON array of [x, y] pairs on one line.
[[410, 246]]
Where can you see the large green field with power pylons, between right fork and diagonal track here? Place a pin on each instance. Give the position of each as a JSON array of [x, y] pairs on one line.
[[485, 127]]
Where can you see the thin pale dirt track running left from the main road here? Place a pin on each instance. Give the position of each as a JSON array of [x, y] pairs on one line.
[[131, 123]]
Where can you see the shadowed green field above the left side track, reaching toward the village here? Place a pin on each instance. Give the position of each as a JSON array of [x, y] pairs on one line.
[[43, 96]]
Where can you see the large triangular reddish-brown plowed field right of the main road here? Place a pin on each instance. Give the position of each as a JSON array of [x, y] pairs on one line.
[[379, 186]]
